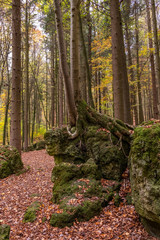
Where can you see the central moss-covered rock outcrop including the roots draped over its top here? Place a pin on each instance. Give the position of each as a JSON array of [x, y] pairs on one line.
[[100, 149]]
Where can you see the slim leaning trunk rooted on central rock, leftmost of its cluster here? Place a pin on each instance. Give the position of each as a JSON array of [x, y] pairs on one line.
[[65, 70]]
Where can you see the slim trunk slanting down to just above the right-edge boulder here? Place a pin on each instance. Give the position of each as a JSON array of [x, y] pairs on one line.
[[154, 89]]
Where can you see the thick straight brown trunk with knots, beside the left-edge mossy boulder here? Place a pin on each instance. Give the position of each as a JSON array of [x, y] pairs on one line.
[[15, 136]]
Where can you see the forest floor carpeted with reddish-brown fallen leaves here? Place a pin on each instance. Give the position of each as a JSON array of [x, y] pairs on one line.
[[18, 192]]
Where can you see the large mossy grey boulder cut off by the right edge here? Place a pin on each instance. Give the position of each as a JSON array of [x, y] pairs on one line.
[[145, 175]]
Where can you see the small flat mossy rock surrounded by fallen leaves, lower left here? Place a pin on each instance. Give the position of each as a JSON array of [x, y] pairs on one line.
[[30, 214]]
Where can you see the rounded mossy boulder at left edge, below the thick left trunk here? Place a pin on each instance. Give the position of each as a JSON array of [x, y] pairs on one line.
[[10, 161]]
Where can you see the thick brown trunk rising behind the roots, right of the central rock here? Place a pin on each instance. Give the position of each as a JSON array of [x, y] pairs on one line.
[[120, 78]]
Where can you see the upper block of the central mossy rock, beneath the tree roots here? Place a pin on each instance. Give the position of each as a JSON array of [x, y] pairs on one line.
[[107, 151]]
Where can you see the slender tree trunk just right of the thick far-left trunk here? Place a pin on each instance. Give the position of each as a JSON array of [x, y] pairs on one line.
[[26, 97]]
